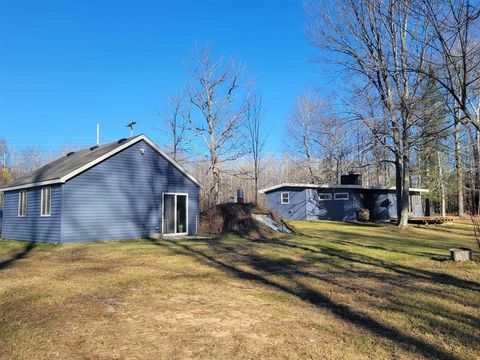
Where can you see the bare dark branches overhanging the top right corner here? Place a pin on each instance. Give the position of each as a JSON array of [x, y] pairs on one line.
[[455, 47]]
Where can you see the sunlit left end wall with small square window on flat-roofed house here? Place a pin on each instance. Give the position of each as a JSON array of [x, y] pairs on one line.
[[294, 210]]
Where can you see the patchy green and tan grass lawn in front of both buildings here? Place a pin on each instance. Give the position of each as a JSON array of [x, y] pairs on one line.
[[333, 290]]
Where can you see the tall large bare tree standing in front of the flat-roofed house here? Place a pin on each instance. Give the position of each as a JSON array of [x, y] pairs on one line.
[[374, 40]]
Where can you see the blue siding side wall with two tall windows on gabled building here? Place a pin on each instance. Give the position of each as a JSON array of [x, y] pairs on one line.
[[32, 227]]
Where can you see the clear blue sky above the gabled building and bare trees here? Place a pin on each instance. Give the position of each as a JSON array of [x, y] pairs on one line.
[[66, 65]]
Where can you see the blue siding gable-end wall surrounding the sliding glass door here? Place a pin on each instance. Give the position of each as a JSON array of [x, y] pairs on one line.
[[121, 198]]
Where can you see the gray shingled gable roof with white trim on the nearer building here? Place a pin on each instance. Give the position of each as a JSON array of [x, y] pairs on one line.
[[72, 164]]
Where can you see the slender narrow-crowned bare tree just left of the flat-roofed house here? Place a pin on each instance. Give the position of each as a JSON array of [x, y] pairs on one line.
[[256, 138]]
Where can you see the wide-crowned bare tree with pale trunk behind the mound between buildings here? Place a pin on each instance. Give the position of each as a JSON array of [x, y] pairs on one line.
[[219, 98]]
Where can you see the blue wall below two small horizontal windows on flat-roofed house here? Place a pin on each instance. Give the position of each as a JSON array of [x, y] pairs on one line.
[[342, 210]]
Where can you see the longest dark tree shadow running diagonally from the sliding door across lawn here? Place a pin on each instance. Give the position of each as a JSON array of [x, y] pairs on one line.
[[305, 293]]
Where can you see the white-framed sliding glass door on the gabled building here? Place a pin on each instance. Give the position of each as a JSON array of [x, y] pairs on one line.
[[175, 214]]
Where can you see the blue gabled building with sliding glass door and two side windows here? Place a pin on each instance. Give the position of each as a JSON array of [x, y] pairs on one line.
[[125, 189]]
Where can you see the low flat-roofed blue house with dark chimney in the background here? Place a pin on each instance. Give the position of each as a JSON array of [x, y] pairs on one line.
[[338, 202]]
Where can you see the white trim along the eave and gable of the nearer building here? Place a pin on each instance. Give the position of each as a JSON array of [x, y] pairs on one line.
[[127, 144]]
